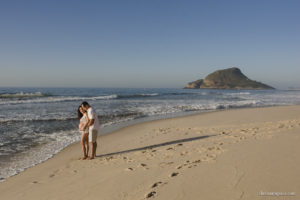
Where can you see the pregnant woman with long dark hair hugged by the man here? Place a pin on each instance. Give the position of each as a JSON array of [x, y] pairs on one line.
[[83, 120]]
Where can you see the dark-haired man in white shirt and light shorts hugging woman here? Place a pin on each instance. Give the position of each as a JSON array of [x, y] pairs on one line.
[[93, 125]]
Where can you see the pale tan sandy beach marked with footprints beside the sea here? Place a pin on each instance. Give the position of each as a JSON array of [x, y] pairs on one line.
[[228, 155]]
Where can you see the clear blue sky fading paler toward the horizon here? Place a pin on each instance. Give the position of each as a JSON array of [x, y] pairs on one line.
[[147, 43]]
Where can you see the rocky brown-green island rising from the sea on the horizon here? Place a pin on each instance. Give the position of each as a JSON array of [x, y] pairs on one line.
[[231, 78]]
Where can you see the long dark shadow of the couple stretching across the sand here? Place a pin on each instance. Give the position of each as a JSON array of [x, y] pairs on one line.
[[156, 145]]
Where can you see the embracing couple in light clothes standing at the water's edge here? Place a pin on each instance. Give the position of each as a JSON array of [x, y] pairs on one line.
[[89, 127]]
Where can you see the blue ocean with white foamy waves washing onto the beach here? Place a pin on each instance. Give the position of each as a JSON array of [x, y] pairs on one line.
[[37, 123]]
